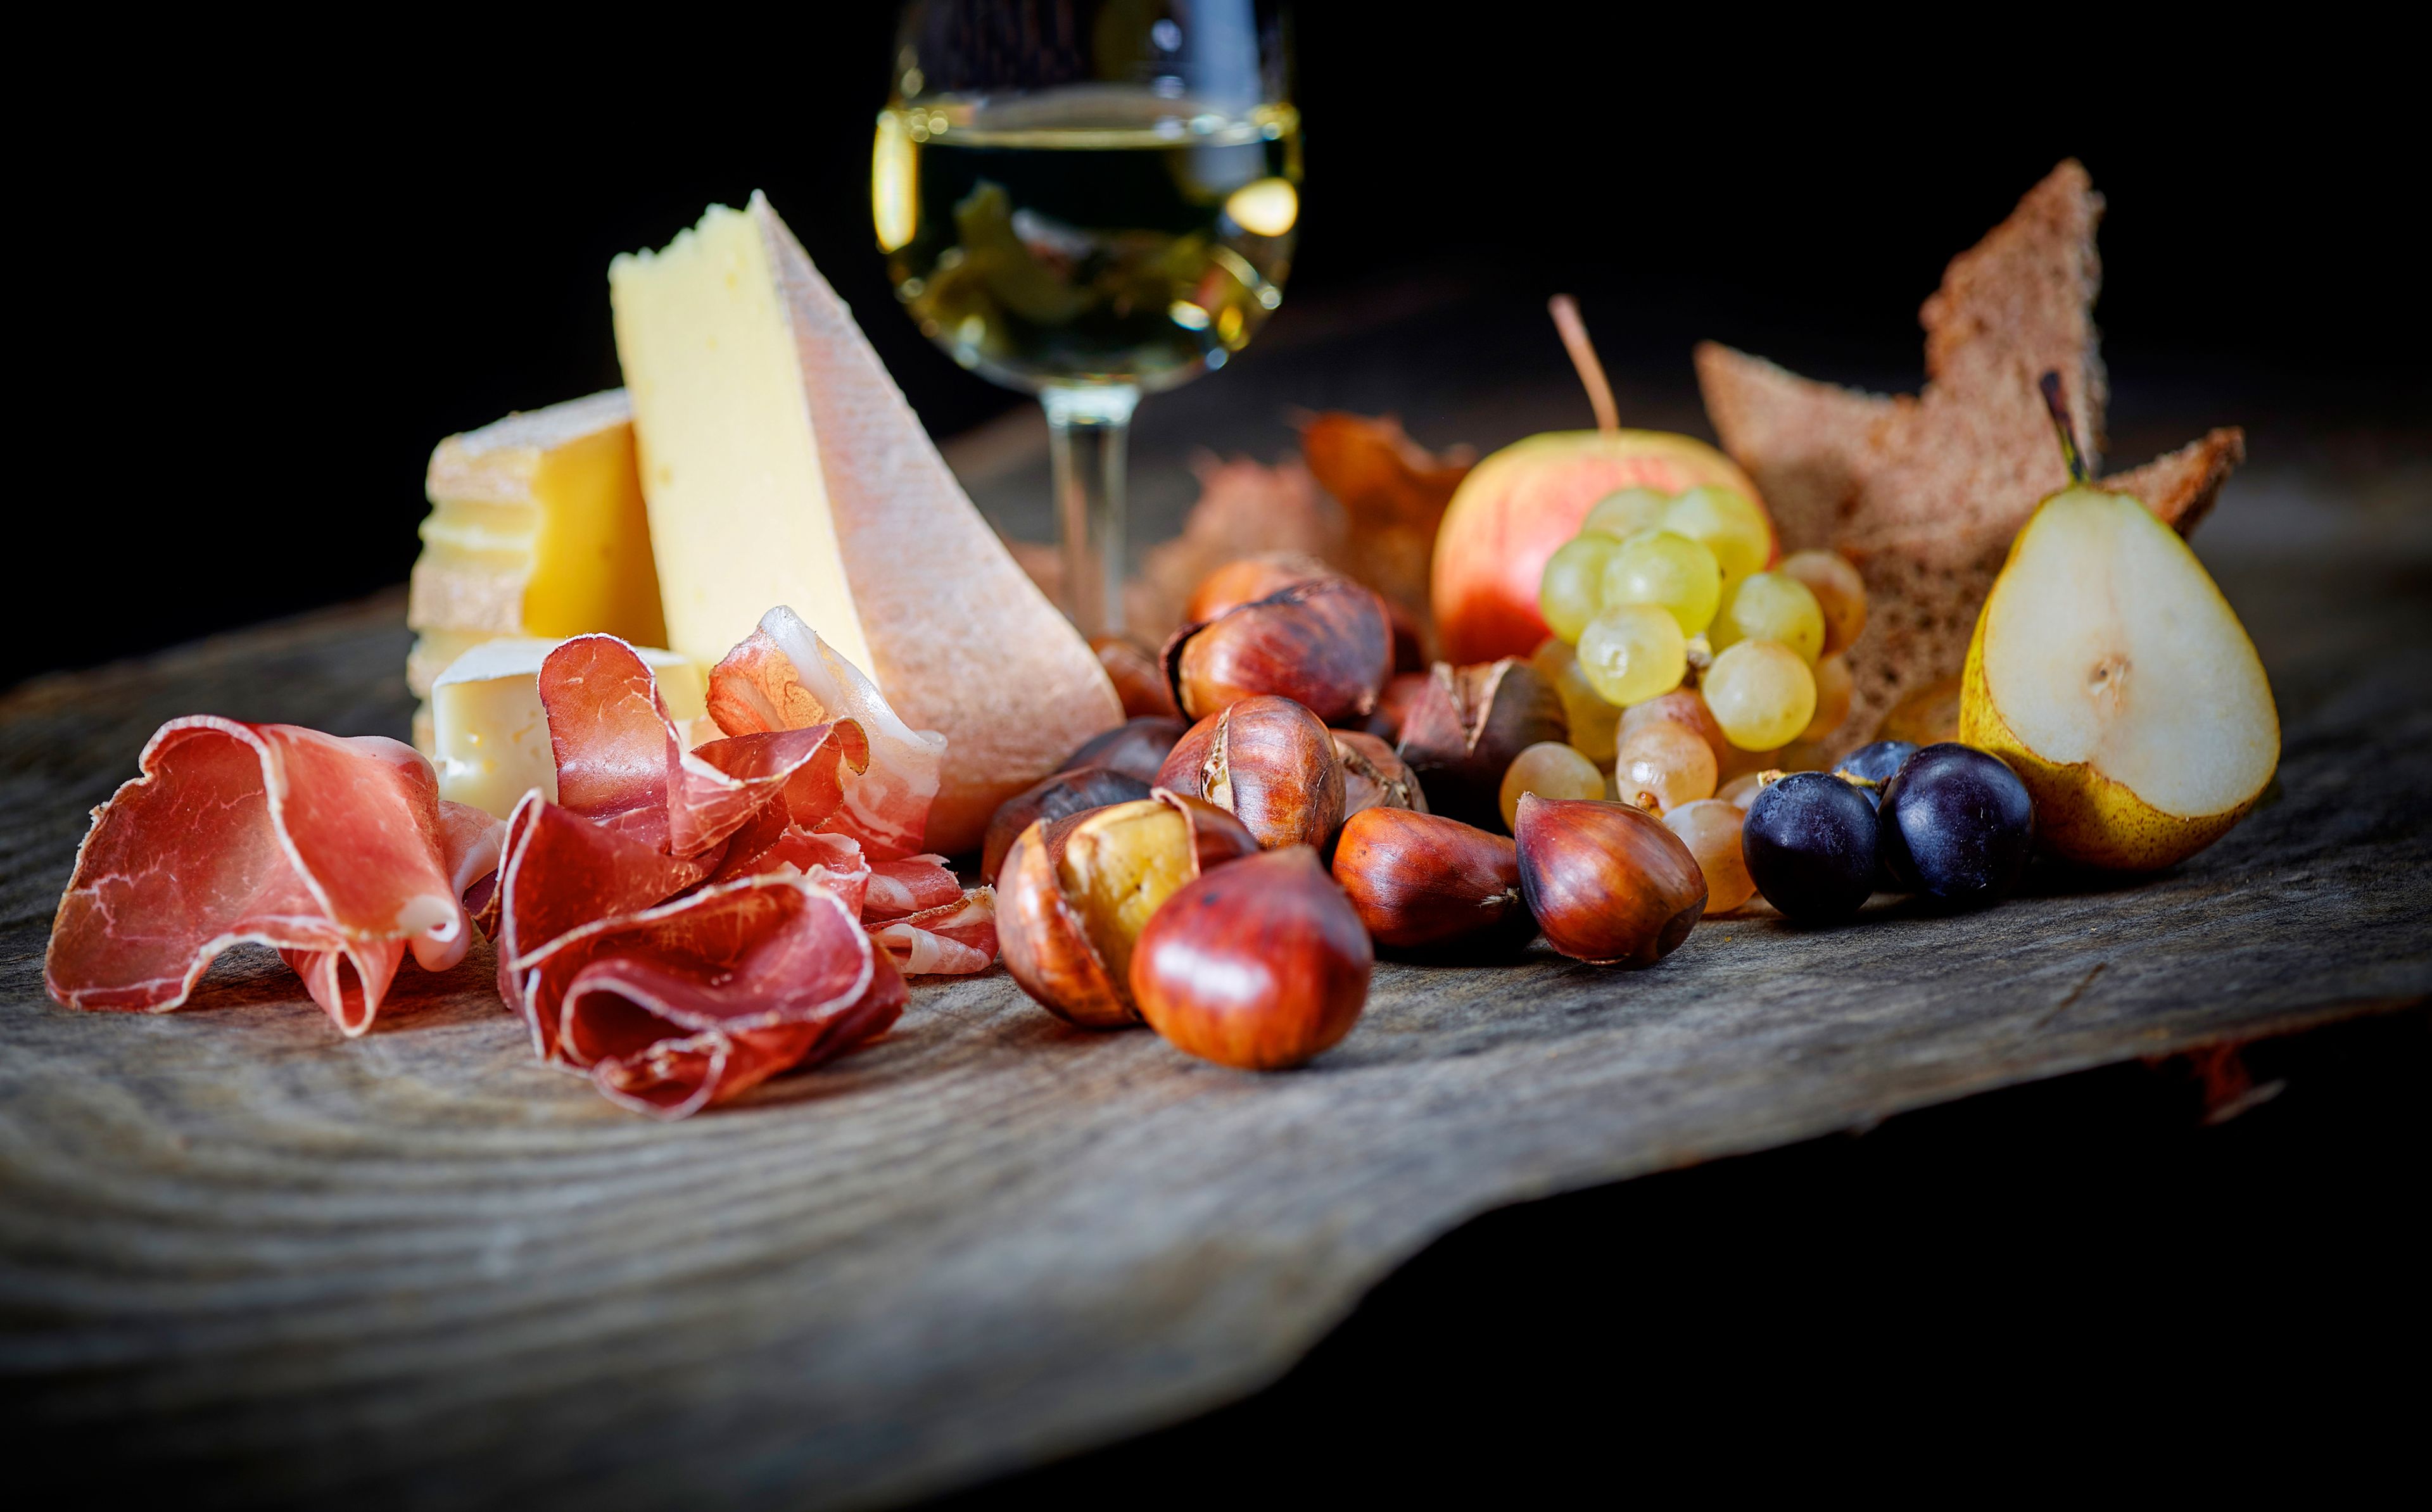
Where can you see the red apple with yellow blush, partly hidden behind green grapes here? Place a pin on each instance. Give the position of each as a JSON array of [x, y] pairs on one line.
[[1524, 502]]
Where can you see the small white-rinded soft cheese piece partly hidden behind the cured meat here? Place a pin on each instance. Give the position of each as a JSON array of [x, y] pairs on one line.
[[490, 738]]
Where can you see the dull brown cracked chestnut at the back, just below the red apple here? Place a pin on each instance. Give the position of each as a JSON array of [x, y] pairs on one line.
[[1468, 726]]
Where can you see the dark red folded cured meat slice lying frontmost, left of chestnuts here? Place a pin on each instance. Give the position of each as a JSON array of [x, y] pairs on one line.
[[697, 1000]]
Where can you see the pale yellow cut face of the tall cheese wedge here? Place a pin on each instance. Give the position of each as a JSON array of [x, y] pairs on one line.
[[738, 504]]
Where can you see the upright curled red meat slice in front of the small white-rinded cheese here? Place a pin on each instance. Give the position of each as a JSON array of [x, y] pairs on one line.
[[624, 762]]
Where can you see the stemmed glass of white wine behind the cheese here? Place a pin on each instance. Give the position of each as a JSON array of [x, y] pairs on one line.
[[1088, 201]]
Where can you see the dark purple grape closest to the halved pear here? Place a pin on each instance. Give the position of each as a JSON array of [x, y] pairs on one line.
[[1957, 825]]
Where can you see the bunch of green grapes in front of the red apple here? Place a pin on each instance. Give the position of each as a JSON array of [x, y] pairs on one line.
[[1655, 587]]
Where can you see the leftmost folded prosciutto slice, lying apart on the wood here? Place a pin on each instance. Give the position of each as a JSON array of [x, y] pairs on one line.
[[339, 852]]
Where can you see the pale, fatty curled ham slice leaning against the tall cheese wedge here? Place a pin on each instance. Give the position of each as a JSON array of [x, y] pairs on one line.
[[784, 677]]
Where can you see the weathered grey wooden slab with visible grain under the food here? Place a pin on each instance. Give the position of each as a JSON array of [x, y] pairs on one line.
[[422, 1268]]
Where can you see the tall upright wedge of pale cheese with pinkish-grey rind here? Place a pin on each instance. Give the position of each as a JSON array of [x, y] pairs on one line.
[[784, 468]]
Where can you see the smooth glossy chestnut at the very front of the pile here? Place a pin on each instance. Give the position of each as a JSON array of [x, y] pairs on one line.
[[1261, 964]]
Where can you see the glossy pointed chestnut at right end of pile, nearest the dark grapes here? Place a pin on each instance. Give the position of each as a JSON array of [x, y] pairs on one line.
[[1609, 884]]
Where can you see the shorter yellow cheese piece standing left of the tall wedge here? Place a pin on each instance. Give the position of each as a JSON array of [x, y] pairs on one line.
[[536, 531]]
